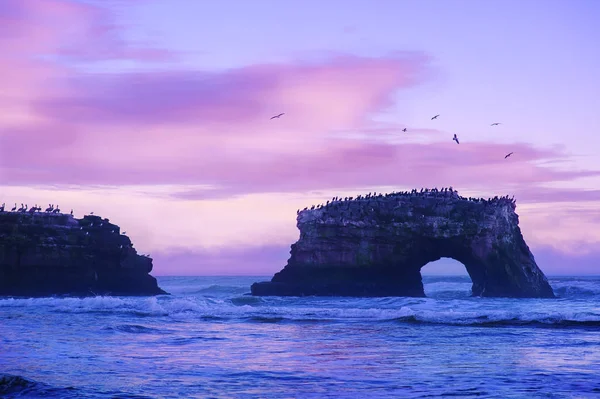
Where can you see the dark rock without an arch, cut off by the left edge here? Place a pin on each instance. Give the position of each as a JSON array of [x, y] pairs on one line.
[[44, 254]]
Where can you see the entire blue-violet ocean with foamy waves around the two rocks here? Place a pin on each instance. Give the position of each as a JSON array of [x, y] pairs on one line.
[[210, 339]]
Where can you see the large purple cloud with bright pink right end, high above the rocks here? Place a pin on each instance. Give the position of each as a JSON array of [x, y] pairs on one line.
[[340, 92]]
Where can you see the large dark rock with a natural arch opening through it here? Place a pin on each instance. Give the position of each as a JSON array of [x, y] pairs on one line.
[[376, 245]]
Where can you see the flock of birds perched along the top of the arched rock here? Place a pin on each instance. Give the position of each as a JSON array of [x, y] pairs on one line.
[[425, 192]]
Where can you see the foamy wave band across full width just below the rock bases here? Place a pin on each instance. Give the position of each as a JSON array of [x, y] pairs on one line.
[[278, 309]]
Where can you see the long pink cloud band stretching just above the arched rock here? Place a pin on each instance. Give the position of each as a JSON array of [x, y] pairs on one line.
[[347, 164]]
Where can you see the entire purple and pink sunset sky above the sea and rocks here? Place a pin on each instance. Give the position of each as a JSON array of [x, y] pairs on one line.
[[156, 115]]
